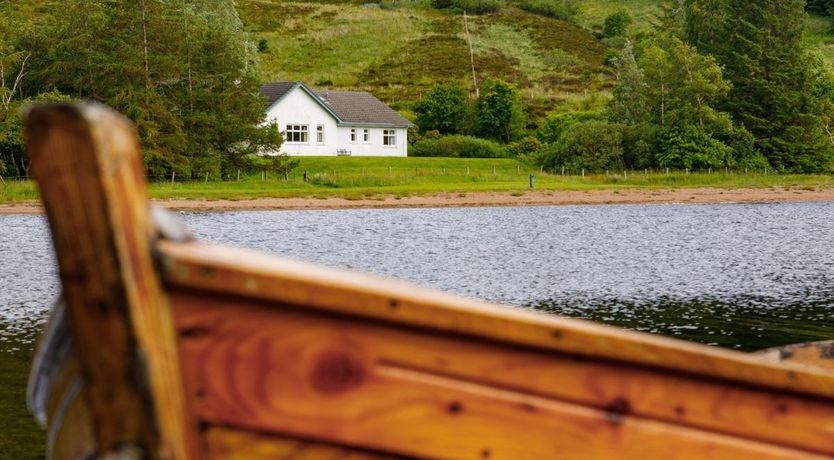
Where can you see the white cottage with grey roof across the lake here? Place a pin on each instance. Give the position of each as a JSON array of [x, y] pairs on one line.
[[334, 122]]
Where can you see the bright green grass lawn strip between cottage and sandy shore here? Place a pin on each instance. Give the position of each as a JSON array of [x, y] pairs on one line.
[[358, 178]]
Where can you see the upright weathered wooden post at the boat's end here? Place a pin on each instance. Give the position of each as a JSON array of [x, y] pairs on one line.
[[87, 163]]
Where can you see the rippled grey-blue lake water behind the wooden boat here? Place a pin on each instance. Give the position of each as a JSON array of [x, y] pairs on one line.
[[740, 276]]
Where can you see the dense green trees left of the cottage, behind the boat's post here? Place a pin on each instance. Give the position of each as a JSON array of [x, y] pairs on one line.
[[183, 71]]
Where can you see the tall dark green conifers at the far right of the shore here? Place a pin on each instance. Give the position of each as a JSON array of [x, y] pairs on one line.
[[780, 93]]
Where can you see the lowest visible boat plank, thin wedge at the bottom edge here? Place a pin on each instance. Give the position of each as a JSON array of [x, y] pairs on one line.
[[228, 444]]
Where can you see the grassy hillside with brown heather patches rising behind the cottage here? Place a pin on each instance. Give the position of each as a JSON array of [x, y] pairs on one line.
[[397, 52]]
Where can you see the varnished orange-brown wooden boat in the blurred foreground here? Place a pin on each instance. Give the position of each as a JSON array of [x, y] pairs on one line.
[[226, 353]]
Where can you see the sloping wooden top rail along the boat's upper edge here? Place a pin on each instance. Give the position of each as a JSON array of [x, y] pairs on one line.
[[247, 273]]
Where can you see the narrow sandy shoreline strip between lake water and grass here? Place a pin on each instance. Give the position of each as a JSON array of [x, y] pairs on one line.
[[477, 199]]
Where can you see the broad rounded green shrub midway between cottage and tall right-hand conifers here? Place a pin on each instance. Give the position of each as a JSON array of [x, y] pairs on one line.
[[592, 145]]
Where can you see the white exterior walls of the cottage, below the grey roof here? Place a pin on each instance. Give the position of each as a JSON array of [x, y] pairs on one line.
[[298, 108]]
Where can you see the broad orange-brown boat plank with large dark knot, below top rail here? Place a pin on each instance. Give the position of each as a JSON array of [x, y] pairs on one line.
[[408, 391]]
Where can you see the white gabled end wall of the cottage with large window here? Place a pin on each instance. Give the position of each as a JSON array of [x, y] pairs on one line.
[[298, 108]]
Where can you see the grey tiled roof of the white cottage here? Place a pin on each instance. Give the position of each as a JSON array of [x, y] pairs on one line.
[[349, 107]]
